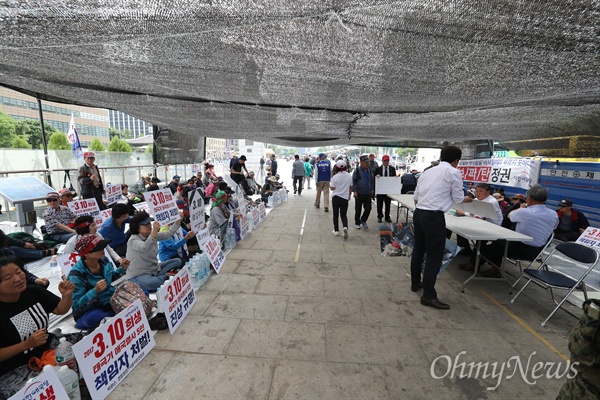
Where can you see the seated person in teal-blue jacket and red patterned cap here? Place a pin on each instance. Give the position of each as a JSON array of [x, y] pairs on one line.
[[92, 276]]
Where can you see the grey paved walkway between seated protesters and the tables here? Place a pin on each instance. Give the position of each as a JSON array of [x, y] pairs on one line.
[[297, 313]]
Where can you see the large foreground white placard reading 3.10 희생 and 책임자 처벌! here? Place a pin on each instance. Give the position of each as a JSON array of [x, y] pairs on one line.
[[107, 355]]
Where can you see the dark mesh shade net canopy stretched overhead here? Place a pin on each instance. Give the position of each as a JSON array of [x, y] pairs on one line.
[[317, 72]]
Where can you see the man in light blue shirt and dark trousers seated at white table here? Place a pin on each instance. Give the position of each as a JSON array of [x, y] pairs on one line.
[[533, 219]]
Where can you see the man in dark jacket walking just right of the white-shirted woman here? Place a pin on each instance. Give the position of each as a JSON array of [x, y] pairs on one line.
[[363, 184]]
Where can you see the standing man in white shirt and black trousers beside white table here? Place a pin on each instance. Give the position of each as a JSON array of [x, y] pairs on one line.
[[437, 189]]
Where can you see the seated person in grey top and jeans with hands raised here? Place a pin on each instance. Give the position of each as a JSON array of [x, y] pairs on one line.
[[142, 250]]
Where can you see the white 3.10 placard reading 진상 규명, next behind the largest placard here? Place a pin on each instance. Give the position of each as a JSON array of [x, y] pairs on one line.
[[177, 298]]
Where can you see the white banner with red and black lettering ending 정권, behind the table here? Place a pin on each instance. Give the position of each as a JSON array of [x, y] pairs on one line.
[[515, 172]]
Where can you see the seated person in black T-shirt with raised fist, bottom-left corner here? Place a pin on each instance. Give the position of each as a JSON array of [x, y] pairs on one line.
[[24, 319]]
